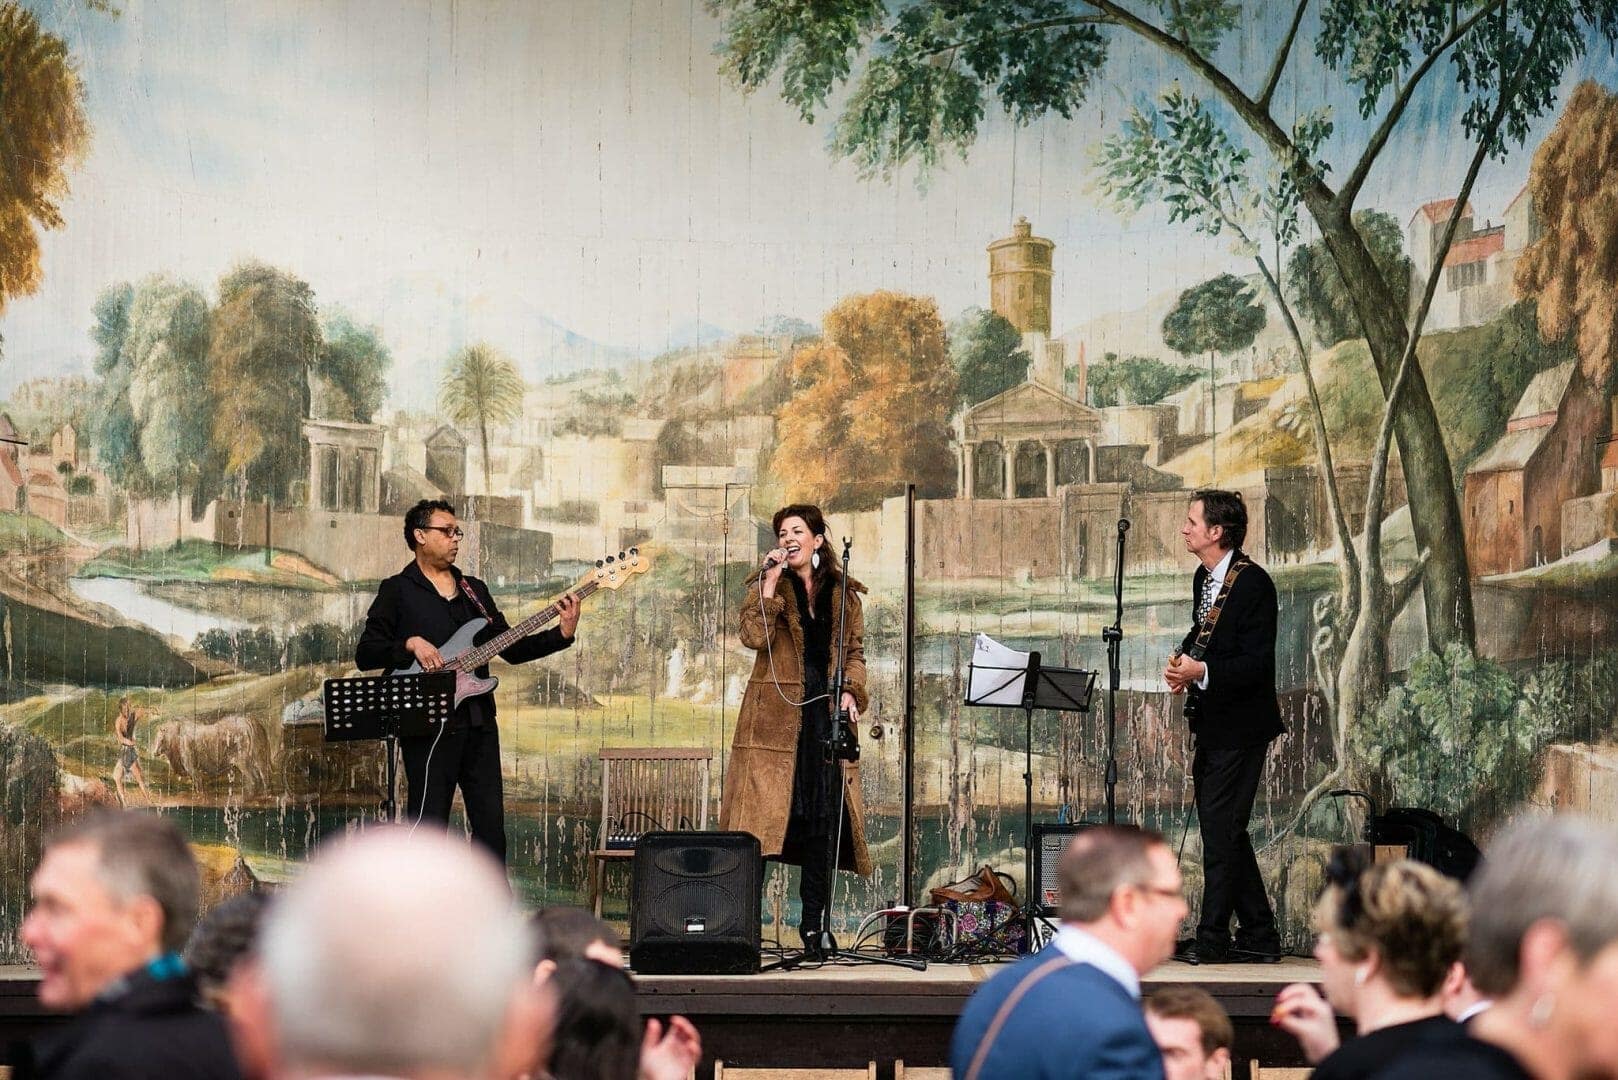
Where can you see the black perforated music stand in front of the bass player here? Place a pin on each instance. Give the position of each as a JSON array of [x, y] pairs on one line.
[[388, 707]]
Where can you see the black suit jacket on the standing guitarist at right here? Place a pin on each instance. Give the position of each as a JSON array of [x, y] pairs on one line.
[[1239, 708]]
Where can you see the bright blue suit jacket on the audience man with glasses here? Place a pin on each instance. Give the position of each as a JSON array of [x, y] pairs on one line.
[[1075, 1024]]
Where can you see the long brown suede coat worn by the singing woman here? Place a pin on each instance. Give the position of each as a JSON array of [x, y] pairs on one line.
[[760, 780]]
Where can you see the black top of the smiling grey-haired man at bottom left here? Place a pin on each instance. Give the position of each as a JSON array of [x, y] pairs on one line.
[[148, 1029]]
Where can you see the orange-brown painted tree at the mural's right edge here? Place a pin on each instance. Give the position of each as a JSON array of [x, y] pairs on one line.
[[1569, 270]]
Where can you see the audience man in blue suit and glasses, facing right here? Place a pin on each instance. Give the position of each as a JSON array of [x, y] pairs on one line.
[[1075, 1008]]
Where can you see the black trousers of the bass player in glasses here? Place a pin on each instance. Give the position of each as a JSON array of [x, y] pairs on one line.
[[468, 759]]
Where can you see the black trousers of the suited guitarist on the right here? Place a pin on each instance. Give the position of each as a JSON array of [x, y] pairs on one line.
[[1227, 781]]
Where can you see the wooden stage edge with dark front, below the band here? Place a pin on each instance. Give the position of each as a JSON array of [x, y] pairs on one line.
[[842, 1016]]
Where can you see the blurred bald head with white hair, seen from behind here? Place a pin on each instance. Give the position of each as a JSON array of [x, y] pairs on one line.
[[396, 956]]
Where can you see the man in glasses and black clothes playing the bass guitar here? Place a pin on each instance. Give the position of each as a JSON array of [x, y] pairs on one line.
[[420, 610]]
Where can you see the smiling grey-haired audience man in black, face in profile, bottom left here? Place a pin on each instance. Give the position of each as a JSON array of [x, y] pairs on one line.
[[114, 899]]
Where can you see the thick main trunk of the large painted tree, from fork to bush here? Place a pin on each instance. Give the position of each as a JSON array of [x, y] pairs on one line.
[[1430, 480]]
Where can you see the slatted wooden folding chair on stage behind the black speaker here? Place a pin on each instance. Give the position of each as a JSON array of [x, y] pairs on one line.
[[643, 789]]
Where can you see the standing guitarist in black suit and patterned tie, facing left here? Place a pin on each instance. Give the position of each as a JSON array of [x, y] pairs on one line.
[[1227, 666]]
